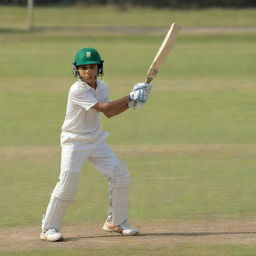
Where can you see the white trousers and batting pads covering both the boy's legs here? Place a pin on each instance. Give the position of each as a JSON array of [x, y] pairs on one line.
[[72, 160]]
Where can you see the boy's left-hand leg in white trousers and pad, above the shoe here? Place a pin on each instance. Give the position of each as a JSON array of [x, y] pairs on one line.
[[64, 191]]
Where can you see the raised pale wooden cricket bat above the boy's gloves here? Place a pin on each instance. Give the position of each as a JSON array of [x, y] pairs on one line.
[[163, 51]]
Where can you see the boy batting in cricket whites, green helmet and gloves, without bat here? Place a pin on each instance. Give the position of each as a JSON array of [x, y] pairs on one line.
[[83, 139]]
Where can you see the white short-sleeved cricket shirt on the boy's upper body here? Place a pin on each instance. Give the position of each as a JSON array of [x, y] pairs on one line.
[[81, 120]]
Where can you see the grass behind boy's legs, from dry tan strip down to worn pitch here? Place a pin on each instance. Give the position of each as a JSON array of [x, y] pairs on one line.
[[178, 182]]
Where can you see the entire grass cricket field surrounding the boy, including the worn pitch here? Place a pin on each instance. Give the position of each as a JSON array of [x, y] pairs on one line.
[[190, 150]]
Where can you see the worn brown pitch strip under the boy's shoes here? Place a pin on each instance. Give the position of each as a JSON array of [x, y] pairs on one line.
[[166, 233]]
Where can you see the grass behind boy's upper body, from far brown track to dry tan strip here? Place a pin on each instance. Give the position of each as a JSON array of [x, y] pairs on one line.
[[205, 91]]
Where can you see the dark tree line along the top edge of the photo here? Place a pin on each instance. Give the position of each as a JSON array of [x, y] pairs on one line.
[[179, 4]]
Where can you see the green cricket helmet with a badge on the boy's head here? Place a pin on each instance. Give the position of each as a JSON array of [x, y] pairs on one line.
[[88, 56]]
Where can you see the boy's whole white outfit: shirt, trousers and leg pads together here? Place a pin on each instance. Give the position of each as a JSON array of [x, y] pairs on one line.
[[82, 139]]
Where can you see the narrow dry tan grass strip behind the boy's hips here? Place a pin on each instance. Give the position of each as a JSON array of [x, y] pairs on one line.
[[229, 149]]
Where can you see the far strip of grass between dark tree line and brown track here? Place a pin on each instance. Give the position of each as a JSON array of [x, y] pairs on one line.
[[98, 16]]
